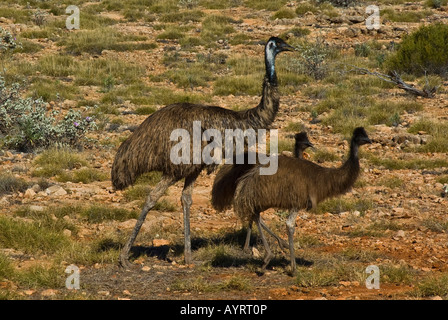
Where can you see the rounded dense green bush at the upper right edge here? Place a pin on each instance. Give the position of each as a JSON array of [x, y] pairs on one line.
[[422, 51]]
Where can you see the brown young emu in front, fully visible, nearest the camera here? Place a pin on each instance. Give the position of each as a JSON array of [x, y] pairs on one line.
[[298, 184]]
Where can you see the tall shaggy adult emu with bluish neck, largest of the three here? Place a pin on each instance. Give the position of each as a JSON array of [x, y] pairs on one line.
[[149, 146]]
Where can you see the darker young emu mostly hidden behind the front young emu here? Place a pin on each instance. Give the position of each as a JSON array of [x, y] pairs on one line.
[[223, 190]]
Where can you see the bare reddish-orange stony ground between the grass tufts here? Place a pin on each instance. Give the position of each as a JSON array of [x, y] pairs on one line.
[[395, 231]]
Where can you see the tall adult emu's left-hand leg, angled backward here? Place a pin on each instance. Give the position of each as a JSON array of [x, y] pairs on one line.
[[150, 202]]
